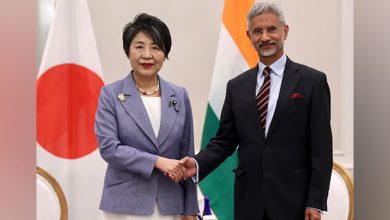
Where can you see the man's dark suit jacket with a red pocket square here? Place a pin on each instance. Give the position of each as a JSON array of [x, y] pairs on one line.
[[289, 169]]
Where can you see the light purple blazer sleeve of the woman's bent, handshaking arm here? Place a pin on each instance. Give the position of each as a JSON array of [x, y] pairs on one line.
[[111, 149]]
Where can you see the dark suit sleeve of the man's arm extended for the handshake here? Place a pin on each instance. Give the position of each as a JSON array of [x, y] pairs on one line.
[[223, 144]]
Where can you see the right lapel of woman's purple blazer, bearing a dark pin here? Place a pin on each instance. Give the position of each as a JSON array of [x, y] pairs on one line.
[[170, 106]]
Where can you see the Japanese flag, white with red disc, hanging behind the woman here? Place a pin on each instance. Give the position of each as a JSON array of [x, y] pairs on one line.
[[68, 86]]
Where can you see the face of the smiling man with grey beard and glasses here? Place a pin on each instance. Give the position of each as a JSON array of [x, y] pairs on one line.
[[267, 35]]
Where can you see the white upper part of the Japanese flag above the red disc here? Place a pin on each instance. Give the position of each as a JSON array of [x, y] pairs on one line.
[[71, 38]]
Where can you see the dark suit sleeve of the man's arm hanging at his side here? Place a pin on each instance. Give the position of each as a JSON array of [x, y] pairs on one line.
[[321, 145]]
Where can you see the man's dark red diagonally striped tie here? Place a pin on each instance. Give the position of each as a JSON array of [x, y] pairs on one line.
[[263, 97]]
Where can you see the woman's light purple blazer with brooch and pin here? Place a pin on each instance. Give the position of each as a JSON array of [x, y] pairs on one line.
[[128, 144]]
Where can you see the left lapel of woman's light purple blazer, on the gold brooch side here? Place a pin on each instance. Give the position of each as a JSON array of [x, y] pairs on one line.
[[136, 109]]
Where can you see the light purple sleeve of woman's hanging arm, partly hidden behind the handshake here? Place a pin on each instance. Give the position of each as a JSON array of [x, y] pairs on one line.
[[187, 149]]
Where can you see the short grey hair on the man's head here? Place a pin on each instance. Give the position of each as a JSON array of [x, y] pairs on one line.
[[265, 7]]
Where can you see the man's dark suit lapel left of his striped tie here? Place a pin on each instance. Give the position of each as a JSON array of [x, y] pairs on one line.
[[250, 92]]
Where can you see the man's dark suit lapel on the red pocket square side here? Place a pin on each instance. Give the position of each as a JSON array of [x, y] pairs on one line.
[[289, 82]]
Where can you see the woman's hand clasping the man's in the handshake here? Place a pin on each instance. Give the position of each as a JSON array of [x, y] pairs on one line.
[[173, 168]]
